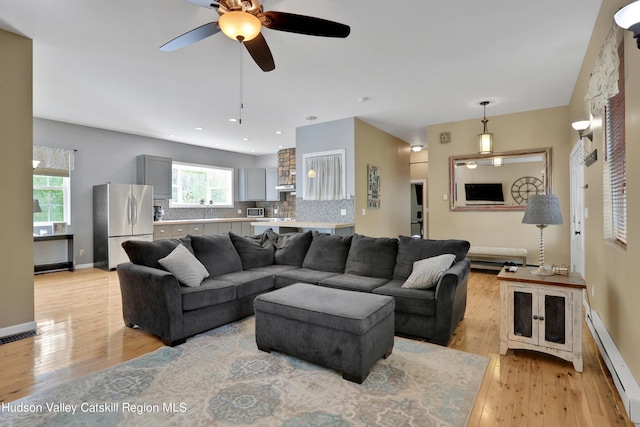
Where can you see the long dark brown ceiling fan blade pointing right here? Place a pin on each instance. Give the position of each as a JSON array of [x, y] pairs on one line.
[[302, 24]]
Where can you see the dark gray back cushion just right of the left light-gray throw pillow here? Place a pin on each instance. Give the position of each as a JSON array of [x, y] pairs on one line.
[[216, 253]]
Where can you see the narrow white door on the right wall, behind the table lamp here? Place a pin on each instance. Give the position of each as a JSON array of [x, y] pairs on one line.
[[577, 209]]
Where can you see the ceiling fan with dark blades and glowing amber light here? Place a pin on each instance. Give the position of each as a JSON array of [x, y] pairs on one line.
[[242, 20]]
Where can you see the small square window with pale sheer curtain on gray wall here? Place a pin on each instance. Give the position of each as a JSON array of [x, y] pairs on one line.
[[324, 175]]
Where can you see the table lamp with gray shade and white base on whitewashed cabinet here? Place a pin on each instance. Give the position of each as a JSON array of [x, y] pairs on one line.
[[542, 210]]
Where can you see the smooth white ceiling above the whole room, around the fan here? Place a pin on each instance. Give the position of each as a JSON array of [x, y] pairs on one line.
[[415, 62]]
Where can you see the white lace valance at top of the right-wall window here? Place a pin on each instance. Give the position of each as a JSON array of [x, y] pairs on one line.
[[603, 83]]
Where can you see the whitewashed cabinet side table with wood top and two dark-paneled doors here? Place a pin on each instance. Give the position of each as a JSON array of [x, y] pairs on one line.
[[542, 313]]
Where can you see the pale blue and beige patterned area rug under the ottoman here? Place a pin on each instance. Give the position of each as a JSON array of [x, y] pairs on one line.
[[220, 378]]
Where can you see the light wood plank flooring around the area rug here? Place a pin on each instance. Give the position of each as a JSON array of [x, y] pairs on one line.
[[81, 331]]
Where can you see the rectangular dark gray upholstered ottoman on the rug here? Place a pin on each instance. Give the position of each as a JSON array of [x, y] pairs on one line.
[[343, 330]]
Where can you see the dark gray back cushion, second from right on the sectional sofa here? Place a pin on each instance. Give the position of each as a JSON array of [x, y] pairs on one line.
[[372, 257]]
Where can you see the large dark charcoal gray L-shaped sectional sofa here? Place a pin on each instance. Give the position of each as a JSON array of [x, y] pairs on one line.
[[240, 268]]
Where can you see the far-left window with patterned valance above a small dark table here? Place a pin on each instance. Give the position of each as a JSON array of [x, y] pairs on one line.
[[52, 184]]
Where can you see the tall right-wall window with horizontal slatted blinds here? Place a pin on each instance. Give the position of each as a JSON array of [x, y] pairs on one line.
[[615, 169]]
